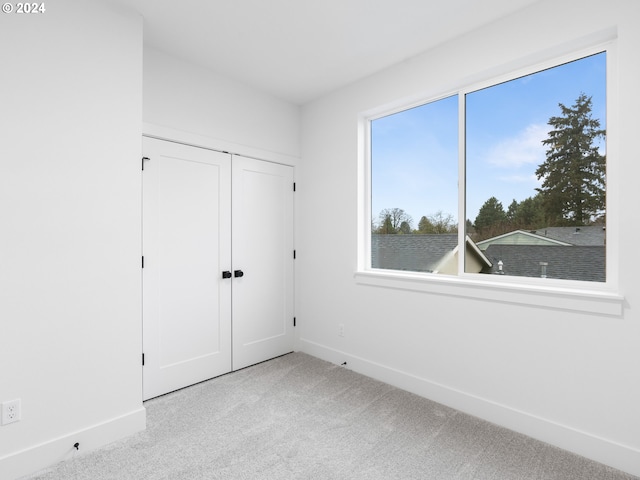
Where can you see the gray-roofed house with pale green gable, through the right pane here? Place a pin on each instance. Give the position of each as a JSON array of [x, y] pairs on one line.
[[569, 253]]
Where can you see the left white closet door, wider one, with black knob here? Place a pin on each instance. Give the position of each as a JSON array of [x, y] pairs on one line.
[[186, 247]]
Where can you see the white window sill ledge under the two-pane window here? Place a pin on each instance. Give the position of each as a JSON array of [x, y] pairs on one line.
[[594, 301]]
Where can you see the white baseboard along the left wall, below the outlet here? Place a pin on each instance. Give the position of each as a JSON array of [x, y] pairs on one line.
[[46, 454]]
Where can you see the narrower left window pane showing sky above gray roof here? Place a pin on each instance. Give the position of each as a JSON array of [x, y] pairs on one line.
[[414, 188]]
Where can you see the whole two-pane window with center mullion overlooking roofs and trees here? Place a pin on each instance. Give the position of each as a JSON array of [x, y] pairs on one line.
[[532, 158]]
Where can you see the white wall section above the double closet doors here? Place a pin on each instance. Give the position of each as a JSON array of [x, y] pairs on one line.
[[205, 108]]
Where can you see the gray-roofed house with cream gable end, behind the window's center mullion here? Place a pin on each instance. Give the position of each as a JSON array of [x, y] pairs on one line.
[[424, 253]]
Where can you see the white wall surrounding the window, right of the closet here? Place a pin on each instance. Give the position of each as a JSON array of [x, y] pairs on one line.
[[567, 377]]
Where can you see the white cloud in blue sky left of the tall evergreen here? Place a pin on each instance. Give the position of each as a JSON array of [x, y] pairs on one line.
[[525, 148]]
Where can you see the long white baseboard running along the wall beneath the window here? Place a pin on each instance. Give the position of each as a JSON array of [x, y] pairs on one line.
[[602, 450]]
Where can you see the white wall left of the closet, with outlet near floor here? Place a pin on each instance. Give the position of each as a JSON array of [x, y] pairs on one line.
[[70, 289]]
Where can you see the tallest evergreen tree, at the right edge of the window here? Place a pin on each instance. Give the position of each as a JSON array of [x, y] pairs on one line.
[[573, 174]]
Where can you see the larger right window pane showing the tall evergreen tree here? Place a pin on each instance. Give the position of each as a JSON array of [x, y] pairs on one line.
[[535, 173]]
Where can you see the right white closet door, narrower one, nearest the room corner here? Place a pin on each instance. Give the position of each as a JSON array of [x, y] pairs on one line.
[[263, 254]]
